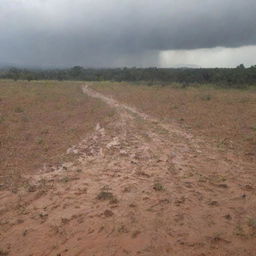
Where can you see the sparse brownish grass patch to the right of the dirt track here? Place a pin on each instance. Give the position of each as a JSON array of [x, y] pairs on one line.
[[225, 116]]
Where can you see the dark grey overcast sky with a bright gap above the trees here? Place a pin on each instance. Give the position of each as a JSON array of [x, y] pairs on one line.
[[110, 33]]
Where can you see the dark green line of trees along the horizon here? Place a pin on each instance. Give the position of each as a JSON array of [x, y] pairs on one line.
[[224, 77]]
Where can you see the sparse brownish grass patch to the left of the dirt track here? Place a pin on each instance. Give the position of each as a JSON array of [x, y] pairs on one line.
[[40, 120]]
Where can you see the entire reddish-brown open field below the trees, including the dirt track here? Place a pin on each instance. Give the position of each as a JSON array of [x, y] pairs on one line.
[[130, 170]]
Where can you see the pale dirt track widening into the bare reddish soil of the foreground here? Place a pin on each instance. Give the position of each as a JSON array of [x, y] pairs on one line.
[[138, 187]]
